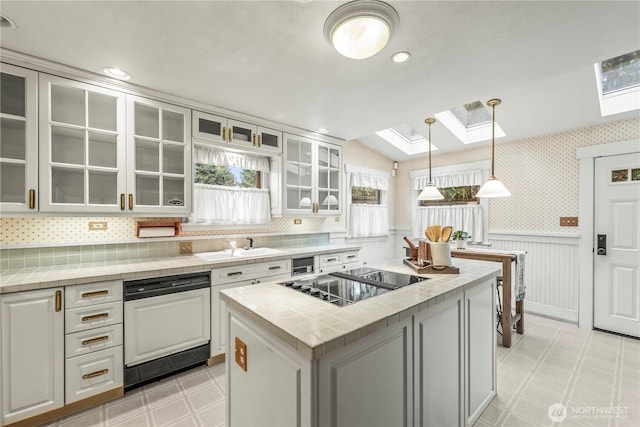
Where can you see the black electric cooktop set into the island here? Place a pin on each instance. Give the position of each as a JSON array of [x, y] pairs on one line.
[[347, 287]]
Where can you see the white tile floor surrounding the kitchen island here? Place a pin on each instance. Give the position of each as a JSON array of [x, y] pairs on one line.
[[594, 375]]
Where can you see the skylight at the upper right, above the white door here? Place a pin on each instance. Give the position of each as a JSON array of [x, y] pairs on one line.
[[618, 81]]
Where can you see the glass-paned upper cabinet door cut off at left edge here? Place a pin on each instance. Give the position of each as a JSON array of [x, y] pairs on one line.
[[19, 139]]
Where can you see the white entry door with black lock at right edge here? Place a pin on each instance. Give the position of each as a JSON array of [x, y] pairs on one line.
[[617, 268]]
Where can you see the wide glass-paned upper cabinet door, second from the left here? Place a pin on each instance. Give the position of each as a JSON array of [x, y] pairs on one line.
[[82, 147]]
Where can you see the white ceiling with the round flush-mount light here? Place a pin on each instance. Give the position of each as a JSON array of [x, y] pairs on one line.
[[270, 59]]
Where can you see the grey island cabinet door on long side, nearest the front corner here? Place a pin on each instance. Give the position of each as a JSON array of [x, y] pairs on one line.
[[369, 382]]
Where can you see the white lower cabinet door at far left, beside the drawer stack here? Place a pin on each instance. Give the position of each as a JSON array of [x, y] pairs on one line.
[[32, 349]]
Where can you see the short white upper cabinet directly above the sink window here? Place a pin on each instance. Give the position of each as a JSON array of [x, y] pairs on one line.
[[234, 133]]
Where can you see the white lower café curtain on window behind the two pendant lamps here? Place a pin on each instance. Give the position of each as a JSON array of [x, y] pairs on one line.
[[461, 217]]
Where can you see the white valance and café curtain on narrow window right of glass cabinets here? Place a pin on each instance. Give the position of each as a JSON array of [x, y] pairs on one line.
[[368, 220]]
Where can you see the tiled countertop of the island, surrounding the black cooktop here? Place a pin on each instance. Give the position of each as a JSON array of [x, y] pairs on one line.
[[314, 327]]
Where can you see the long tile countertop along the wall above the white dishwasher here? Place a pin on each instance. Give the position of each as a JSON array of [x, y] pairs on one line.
[[26, 279]]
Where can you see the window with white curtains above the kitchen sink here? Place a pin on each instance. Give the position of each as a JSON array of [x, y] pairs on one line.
[[228, 188]]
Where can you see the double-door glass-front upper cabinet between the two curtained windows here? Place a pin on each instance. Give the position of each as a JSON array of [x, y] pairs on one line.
[[311, 177]]
